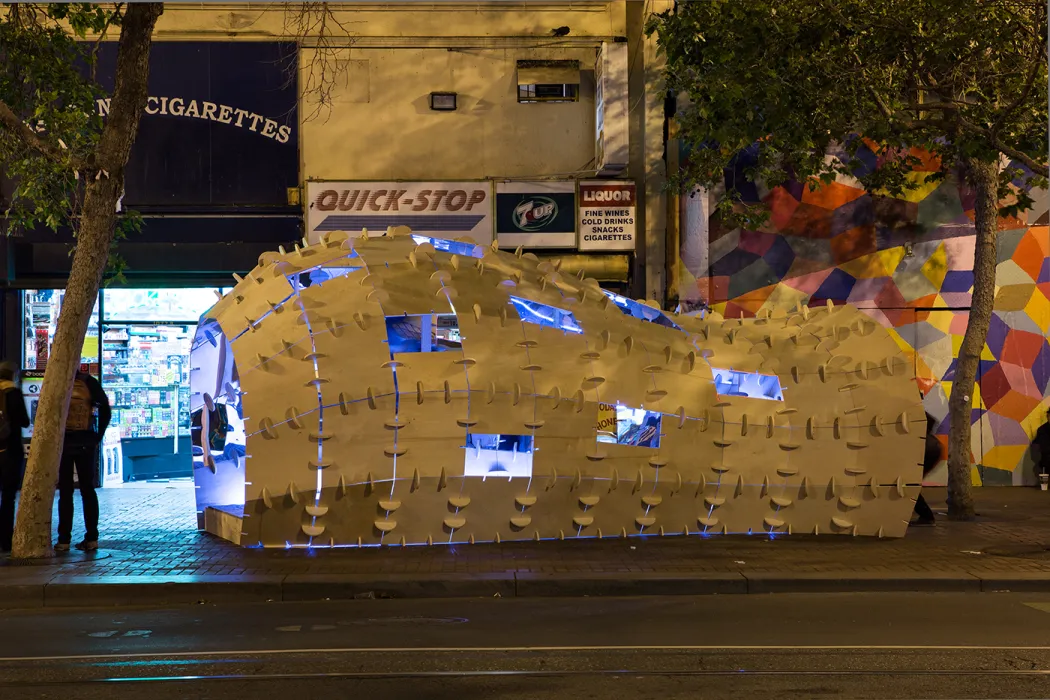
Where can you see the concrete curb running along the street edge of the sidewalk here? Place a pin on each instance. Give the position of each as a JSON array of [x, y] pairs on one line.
[[83, 591]]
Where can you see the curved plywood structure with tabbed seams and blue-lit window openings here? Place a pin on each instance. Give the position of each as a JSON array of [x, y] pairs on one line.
[[501, 422]]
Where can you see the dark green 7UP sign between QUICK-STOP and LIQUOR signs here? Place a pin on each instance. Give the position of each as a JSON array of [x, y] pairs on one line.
[[536, 215]]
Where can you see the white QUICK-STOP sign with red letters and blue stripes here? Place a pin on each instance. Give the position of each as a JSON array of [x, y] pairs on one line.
[[442, 210]]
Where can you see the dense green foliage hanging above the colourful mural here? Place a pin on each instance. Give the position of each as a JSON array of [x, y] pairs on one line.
[[797, 80]]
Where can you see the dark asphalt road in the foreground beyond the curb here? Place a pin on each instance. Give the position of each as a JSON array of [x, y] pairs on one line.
[[842, 646]]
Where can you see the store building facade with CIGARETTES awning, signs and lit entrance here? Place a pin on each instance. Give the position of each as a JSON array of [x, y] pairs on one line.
[[530, 124]]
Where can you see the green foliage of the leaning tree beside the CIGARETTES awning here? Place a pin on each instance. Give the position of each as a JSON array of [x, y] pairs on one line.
[[51, 125]]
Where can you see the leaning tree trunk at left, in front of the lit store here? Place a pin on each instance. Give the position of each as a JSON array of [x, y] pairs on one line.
[[106, 186]]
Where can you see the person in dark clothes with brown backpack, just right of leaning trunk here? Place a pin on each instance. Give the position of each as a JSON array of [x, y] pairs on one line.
[[87, 425]]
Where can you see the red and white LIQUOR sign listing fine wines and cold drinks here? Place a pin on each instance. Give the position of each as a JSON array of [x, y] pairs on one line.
[[607, 214]]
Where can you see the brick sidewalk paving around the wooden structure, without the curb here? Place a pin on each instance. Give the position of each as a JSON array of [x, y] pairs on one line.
[[154, 533]]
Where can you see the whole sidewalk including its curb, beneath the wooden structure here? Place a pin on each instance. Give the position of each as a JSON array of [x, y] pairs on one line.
[[155, 556]]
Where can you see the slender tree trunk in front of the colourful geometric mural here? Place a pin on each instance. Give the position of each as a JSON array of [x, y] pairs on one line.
[[984, 179]]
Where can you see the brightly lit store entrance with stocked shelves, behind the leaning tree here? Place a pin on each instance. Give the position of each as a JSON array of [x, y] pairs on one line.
[[138, 345]]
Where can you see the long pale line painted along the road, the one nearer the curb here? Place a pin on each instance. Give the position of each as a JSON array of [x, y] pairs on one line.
[[502, 650]]
